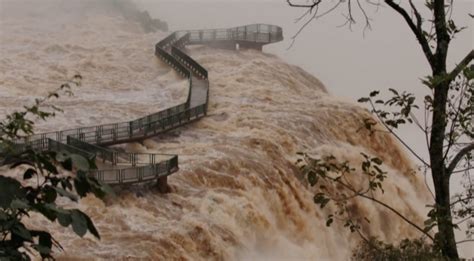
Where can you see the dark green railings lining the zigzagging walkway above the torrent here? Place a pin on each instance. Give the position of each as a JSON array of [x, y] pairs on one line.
[[168, 118]]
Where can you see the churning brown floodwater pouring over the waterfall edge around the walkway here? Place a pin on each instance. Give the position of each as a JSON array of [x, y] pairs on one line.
[[238, 194]]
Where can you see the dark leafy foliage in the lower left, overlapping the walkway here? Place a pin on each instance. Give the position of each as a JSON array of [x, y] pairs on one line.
[[42, 182]]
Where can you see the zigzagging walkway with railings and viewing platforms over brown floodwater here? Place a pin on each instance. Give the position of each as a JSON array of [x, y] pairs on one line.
[[115, 167]]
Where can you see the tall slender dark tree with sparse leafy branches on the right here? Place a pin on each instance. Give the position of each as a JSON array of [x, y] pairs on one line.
[[449, 132]]
